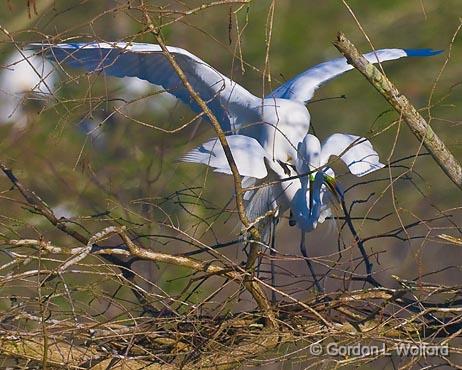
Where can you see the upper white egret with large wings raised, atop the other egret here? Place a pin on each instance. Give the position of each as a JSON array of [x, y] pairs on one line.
[[278, 122]]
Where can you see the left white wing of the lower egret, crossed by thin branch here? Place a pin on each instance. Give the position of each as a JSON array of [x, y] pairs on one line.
[[247, 153]]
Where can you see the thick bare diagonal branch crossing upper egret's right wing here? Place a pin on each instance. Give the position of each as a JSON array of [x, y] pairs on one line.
[[420, 128]]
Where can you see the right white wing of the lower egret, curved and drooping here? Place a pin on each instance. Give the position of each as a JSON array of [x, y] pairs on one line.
[[357, 153]]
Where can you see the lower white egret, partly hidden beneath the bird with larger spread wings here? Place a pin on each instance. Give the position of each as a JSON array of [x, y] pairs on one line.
[[304, 187]]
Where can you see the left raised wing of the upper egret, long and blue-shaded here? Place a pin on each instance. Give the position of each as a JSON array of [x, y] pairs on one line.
[[148, 62]]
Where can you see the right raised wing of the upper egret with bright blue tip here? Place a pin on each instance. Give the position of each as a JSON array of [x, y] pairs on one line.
[[302, 87]]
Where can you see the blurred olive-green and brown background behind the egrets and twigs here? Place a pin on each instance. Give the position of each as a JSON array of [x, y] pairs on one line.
[[128, 172]]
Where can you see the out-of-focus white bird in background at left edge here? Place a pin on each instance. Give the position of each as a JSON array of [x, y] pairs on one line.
[[24, 76]]
